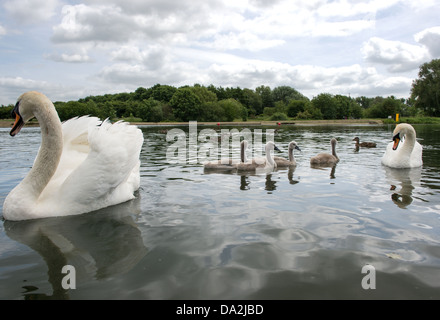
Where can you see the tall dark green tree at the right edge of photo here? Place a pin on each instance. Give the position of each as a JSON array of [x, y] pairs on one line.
[[426, 89]]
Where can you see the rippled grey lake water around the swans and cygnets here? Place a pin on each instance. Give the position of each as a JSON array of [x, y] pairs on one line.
[[305, 233]]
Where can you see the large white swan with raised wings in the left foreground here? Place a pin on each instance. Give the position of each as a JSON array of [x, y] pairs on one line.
[[82, 165]]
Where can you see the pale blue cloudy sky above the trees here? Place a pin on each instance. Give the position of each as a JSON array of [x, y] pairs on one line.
[[70, 49]]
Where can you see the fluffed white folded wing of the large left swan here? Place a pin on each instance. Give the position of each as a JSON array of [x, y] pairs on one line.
[[110, 172]]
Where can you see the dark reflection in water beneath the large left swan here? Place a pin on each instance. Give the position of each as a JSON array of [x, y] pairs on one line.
[[98, 245]]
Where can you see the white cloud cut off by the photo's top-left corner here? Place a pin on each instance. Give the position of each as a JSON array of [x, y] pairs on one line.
[[31, 11]]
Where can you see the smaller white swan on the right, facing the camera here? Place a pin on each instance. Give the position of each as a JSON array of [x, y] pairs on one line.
[[404, 151]]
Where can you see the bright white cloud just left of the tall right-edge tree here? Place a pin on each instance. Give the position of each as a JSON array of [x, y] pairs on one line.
[[397, 55]]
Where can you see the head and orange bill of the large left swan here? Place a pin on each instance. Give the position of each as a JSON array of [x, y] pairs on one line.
[[25, 109]]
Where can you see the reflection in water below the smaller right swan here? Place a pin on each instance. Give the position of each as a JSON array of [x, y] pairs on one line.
[[407, 180]]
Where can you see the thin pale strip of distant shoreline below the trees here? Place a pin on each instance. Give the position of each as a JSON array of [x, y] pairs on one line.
[[7, 123]]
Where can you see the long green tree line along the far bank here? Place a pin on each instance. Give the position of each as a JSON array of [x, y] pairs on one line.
[[209, 103]]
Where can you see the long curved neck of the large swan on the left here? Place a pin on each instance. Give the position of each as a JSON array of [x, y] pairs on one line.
[[49, 154]]
